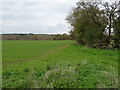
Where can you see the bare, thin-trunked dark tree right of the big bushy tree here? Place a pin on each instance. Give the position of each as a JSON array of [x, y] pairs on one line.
[[110, 10]]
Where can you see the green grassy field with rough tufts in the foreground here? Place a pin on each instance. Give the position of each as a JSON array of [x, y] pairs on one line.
[[57, 64]]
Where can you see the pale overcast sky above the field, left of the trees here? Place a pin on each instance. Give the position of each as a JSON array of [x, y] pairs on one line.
[[35, 16]]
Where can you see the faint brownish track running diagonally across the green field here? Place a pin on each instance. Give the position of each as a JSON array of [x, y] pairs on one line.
[[50, 52]]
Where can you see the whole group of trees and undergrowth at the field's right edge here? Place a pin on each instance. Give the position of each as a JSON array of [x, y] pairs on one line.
[[96, 24]]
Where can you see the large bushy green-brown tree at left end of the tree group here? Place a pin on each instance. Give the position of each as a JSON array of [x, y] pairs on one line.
[[88, 23]]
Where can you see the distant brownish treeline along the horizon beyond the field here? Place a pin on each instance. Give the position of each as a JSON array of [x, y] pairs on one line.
[[36, 37]]
